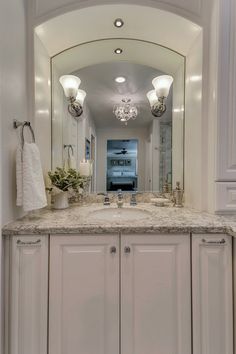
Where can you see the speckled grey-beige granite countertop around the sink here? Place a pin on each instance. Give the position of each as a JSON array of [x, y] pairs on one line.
[[77, 219]]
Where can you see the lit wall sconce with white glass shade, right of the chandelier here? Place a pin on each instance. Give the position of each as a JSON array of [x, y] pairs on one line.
[[160, 93]]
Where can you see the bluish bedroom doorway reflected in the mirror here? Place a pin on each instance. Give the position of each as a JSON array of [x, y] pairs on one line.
[[122, 165]]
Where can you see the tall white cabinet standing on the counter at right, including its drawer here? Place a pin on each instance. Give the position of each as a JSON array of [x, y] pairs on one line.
[[225, 120]]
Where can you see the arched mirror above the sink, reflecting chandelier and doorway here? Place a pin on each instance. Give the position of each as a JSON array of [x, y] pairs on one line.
[[132, 138]]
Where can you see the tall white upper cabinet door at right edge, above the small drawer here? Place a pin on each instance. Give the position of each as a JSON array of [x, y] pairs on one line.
[[226, 120]]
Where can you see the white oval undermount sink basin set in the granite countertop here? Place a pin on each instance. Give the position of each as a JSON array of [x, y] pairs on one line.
[[122, 214]]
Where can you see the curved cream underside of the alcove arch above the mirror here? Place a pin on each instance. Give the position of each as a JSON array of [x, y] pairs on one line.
[[96, 22]]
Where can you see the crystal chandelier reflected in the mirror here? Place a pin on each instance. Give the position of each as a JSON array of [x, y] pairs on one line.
[[125, 111]]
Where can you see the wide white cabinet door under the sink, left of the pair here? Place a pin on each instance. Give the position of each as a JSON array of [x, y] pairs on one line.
[[84, 295]]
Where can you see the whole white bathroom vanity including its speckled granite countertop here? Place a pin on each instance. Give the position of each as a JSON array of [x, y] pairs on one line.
[[77, 284]]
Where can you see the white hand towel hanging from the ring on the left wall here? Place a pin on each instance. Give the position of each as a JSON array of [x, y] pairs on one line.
[[33, 188]]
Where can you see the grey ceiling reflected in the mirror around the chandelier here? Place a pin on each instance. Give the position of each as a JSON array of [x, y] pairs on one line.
[[103, 92]]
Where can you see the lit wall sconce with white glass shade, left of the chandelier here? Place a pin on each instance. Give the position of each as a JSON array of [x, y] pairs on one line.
[[70, 84]]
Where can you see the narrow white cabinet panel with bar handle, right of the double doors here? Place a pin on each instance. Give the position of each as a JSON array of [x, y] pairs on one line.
[[212, 294]]
